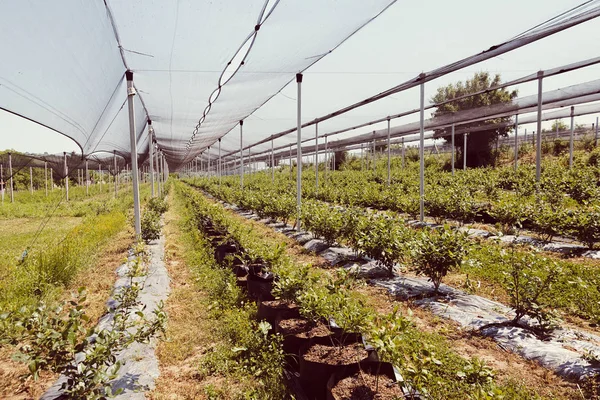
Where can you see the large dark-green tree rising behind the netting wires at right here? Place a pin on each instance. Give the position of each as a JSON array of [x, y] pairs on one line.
[[479, 146]]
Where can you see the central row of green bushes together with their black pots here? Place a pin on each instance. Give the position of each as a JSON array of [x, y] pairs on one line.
[[320, 318]]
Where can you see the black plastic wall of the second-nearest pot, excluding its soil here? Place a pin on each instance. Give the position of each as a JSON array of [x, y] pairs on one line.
[[315, 375]]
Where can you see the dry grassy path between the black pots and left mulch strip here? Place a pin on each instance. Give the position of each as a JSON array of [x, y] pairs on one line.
[[213, 332]]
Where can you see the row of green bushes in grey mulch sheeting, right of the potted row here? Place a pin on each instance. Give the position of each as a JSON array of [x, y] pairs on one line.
[[543, 284]]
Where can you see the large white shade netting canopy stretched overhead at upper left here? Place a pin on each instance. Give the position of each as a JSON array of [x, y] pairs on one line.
[[199, 66]]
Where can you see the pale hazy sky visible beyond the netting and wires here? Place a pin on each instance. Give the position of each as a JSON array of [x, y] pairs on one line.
[[408, 38]]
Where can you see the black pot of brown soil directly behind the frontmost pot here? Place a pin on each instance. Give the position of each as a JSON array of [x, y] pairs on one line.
[[318, 362]]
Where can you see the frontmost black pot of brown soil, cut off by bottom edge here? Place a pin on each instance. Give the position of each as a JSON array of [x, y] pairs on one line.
[[366, 381]]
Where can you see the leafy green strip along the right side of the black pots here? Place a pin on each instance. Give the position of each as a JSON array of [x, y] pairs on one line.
[[425, 359]]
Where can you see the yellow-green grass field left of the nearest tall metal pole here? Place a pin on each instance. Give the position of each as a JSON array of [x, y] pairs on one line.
[[69, 244]]
